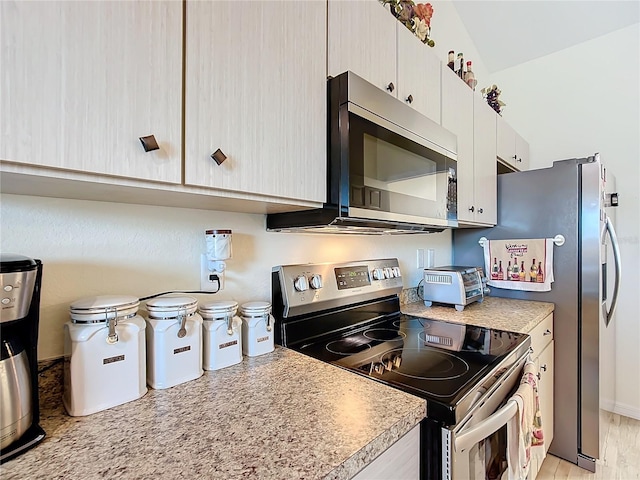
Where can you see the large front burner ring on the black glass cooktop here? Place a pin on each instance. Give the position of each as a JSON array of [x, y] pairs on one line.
[[427, 363]]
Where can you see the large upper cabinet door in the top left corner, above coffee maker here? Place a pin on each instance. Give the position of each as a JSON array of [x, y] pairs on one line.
[[82, 82]]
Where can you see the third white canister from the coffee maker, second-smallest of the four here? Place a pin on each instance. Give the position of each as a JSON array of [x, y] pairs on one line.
[[222, 334]]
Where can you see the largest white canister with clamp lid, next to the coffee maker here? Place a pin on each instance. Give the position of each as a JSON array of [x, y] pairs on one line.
[[104, 359]]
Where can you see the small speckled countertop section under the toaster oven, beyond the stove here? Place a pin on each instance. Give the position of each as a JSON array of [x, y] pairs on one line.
[[494, 312]]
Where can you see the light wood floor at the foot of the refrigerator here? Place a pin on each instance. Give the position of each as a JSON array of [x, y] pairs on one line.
[[620, 454]]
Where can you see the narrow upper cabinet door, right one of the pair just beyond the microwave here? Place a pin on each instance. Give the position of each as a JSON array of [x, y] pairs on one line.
[[484, 163]]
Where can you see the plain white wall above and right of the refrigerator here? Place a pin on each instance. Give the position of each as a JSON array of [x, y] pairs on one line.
[[571, 104]]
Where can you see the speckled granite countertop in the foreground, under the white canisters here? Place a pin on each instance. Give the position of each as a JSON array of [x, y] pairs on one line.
[[277, 416]]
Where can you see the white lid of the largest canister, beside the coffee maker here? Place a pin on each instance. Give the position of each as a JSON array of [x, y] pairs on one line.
[[103, 307]]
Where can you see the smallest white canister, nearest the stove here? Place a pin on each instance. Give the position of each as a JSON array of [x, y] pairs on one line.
[[257, 328]]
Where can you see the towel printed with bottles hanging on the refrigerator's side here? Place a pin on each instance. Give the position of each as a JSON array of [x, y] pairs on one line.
[[522, 264]]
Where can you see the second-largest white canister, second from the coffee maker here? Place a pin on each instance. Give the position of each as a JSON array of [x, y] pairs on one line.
[[174, 341]]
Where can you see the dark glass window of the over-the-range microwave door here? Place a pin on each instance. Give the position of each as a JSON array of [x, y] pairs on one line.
[[392, 173]]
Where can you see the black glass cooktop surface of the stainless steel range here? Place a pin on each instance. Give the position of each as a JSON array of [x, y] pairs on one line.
[[439, 361]]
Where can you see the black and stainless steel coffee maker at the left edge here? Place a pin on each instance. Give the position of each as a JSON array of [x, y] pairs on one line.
[[20, 283]]
